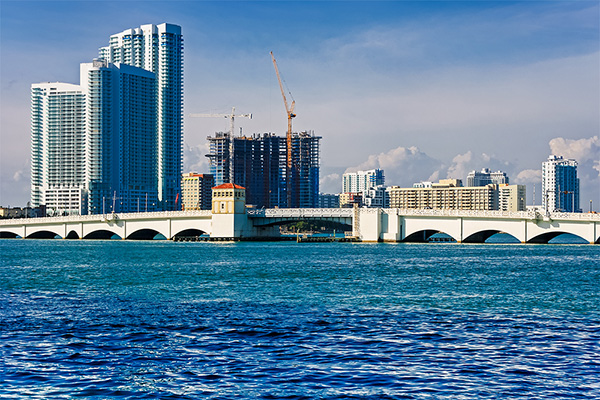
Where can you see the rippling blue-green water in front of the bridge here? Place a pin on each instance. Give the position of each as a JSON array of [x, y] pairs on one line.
[[120, 319]]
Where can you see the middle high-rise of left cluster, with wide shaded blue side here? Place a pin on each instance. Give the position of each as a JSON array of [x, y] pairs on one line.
[[121, 140]]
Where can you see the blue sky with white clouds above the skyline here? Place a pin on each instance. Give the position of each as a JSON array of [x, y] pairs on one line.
[[425, 90]]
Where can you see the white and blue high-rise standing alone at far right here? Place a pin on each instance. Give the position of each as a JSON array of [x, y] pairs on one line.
[[560, 185]]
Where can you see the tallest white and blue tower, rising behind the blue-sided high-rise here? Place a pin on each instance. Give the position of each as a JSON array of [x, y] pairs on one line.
[[158, 48]]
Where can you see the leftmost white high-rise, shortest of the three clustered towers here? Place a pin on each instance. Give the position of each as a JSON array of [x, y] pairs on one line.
[[57, 148]]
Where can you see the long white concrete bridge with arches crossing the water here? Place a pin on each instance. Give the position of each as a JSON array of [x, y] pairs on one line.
[[367, 224]]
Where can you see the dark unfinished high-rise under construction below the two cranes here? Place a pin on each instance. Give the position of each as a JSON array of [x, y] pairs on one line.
[[259, 163]]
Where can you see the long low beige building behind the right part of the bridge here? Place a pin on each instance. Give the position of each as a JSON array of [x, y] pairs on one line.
[[444, 195]]
